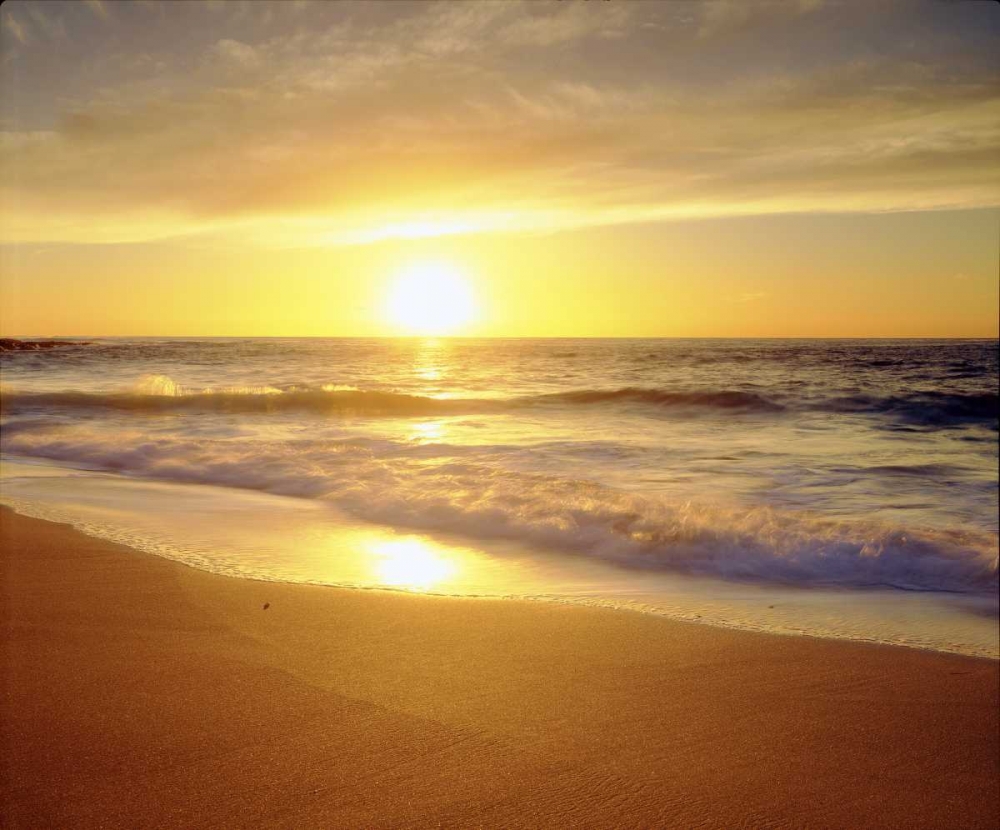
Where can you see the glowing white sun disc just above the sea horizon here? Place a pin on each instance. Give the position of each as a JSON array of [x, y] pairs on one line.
[[431, 299]]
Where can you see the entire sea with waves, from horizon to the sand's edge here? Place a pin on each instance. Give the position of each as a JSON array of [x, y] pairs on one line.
[[841, 488]]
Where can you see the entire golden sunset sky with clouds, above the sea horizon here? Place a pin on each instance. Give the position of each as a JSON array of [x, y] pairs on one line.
[[586, 167]]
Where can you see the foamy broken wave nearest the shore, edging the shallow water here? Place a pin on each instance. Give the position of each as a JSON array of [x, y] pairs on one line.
[[383, 482]]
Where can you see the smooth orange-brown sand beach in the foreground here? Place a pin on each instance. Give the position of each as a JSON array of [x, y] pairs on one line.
[[141, 693]]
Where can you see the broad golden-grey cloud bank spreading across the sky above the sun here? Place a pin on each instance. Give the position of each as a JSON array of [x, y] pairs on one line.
[[457, 118]]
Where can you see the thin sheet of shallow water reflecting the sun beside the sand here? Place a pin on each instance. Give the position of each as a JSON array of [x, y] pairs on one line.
[[261, 536]]
